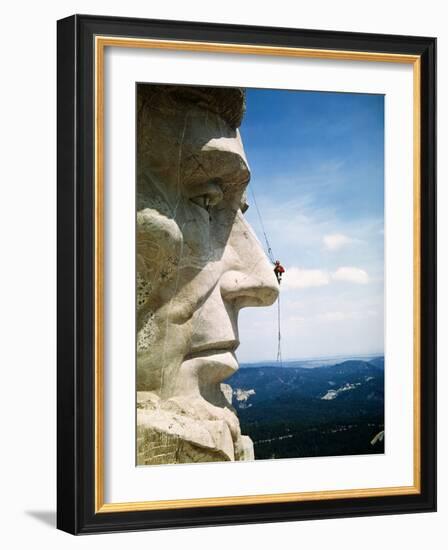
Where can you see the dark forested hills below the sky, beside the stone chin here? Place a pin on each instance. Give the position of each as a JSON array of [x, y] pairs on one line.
[[292, 411]]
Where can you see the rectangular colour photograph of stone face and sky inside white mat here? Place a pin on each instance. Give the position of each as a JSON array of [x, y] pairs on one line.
[[259, 274]]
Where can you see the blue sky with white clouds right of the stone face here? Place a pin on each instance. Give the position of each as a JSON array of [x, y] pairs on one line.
[[317, 163]]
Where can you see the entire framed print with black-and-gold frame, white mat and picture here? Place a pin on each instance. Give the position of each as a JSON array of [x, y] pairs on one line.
[[246, 274]]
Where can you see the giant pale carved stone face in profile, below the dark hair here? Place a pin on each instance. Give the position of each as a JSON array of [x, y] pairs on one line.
[[198, 264]]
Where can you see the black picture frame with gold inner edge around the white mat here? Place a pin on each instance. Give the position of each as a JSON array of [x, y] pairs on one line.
[[81, 43]]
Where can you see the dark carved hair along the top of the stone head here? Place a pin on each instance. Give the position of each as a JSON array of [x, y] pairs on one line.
[[228, 103]]
